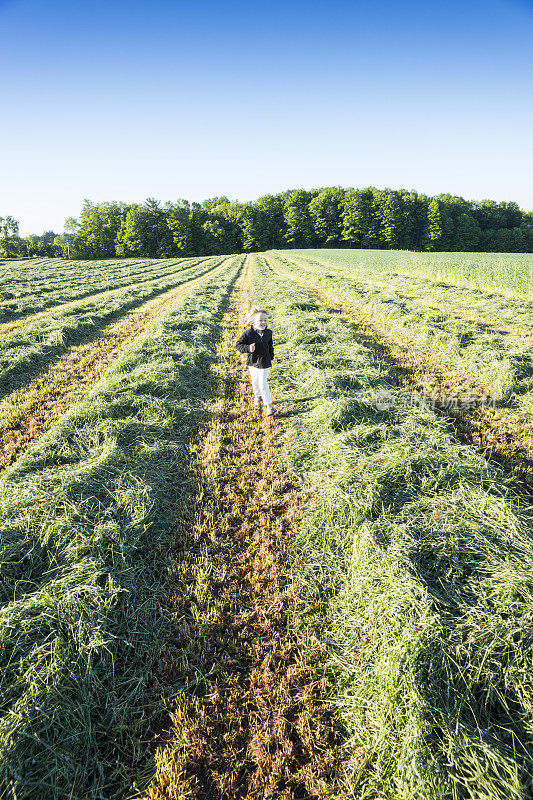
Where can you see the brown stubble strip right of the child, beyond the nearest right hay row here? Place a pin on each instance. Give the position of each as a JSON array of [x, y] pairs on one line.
[[503, 434]]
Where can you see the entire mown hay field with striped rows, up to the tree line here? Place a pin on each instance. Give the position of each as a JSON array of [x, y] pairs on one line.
[[199, 601]]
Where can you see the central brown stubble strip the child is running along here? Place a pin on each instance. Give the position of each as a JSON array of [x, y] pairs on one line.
[[258, 727]]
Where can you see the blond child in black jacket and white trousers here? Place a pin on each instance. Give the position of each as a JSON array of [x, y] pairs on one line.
[[256, 341]]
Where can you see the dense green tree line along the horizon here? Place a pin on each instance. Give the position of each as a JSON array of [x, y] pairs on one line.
[[331, 217]]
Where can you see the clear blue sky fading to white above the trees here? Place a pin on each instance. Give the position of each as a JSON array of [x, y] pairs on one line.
[[123, 101]]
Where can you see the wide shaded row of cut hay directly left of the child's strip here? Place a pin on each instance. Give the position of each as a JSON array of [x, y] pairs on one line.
[[87, 523]]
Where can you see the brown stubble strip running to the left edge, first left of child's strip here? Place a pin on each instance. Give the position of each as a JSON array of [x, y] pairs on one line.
[[28, 412]]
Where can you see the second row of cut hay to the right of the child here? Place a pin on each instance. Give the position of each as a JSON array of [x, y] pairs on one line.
[[488, 363]]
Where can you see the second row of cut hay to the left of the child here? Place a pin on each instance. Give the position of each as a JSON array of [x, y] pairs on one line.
[[26, 352]]
